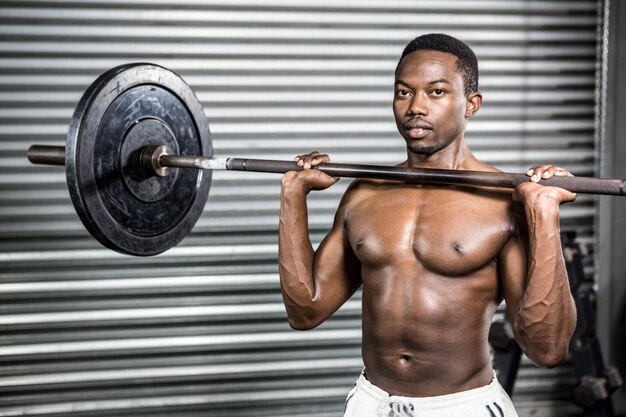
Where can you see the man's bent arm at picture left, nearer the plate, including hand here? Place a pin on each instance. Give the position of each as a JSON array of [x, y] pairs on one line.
[[314, 283]]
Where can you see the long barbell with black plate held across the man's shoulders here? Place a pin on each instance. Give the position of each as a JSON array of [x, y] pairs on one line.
[[139, 127]]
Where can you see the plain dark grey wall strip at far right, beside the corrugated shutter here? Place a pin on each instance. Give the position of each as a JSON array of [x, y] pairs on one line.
[[611, 270]]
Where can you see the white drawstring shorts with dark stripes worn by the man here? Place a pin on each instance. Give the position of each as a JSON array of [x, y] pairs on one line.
[[367, 400]]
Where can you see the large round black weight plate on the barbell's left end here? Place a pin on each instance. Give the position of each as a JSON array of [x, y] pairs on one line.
[[124, 110]]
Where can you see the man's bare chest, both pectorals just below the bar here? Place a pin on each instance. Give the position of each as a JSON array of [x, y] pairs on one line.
[[449, 232]]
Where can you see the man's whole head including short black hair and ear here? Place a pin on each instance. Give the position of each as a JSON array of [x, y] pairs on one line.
[[435, 93]]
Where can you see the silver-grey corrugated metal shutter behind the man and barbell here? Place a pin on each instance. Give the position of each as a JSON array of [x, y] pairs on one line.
[[200, 330]]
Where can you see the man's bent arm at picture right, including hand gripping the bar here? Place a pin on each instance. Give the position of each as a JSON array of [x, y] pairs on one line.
[[534, 276]]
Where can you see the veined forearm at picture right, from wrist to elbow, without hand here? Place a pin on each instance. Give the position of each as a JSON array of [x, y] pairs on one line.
[[546, 316]]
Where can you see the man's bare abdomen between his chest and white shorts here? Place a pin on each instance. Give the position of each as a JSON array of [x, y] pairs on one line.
[[426, 336]]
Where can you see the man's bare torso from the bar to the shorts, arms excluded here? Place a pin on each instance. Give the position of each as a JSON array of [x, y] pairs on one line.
[[430, 282]]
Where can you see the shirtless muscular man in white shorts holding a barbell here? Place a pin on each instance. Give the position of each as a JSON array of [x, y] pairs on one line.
[[434, 261]]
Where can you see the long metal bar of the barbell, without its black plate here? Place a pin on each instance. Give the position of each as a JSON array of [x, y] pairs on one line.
[[55, 155]]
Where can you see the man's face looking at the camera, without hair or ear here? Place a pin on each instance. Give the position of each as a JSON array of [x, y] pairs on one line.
[[429, 102]]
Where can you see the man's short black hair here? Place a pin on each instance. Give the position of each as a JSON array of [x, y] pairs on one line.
[[466, 59]]
